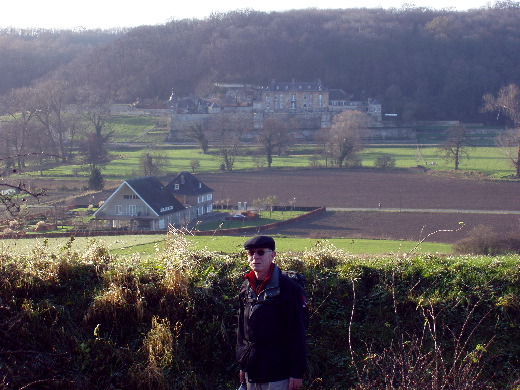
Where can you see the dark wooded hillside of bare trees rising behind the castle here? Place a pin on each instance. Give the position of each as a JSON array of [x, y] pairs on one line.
[[420, 63]]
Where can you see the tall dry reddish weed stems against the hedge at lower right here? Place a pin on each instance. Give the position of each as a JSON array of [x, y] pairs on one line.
[[437, 358]]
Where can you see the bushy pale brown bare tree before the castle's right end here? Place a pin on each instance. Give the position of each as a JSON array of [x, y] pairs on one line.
[[343, 140]]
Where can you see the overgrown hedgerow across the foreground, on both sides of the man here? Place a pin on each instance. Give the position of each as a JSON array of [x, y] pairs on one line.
[[73, 320]]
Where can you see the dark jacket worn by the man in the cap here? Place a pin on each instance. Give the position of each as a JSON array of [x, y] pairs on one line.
[[271, 331]]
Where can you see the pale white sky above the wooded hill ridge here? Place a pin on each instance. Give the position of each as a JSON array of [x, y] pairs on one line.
[[106, 14]]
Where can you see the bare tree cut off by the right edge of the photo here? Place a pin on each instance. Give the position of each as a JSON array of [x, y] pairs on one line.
[[507, 102]]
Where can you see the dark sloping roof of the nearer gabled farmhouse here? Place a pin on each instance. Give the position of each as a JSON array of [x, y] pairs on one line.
[[155, 195]]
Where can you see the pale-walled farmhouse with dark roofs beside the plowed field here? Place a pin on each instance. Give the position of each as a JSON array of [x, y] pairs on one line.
[[146, 204]]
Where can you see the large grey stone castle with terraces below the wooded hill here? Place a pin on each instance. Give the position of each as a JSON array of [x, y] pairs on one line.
[[311, 104]]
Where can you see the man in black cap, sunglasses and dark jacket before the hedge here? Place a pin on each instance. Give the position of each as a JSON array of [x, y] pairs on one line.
[[271, 346]]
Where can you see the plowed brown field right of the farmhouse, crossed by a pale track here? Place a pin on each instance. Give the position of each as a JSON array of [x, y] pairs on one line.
[[453, 199]]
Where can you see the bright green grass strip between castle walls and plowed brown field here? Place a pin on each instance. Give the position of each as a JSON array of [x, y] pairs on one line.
[[489, 161]]
